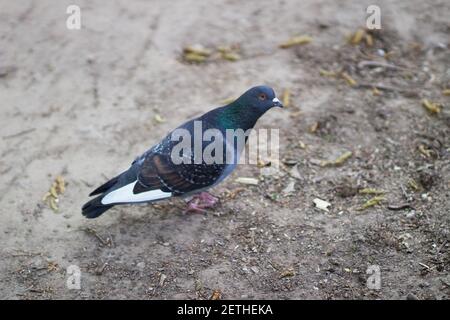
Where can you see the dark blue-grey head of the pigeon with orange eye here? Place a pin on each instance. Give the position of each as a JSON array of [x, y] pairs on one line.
[[260, 99]]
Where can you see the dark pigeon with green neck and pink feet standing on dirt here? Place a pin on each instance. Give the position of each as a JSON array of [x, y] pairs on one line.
[[168, 170]]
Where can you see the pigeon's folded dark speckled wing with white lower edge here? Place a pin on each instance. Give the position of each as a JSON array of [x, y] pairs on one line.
[[153, 176]]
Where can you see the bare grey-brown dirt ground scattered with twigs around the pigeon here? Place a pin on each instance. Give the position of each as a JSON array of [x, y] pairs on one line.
[[83, 103]]
